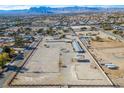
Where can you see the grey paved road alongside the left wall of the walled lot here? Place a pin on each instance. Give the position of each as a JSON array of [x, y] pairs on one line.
[[4, 76]]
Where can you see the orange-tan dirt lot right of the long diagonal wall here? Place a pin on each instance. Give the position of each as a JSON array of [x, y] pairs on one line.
[[110, 52]]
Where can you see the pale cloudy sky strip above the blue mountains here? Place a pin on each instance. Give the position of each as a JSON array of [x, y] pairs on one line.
[[22, 7]]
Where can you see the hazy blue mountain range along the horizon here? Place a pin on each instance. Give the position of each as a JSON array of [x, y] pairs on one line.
[[57, 10]]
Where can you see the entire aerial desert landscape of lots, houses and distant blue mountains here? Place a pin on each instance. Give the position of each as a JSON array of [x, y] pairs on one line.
[[62, 47]]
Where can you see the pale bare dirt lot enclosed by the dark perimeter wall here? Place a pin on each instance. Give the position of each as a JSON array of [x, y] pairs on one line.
[[54, 66]]
